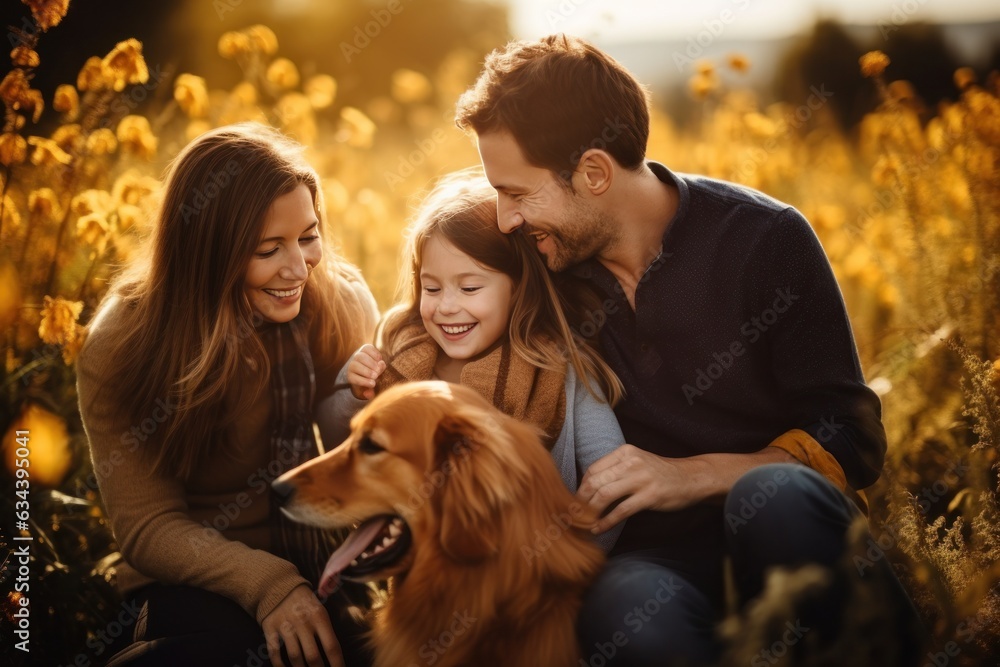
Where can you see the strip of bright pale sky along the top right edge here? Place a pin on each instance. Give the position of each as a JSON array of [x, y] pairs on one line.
[[628, 20]]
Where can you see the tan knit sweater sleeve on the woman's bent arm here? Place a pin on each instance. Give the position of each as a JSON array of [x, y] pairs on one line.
[[148, 512]]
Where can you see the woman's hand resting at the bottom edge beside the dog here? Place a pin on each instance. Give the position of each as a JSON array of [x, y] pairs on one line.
[[297, 621]]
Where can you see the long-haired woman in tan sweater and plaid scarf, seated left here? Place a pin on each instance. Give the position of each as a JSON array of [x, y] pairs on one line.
[[197, 387]]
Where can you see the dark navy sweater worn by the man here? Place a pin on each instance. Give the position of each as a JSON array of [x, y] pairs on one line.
[[739, 334]]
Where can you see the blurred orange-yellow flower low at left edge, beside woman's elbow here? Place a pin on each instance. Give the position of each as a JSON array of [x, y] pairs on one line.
[[51, 456]]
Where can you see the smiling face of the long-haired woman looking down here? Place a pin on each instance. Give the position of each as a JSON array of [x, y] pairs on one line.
[[289, 249]]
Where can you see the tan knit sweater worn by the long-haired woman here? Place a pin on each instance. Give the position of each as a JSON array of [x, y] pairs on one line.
[[210, 531]]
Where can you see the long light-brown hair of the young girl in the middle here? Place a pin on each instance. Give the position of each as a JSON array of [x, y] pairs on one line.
[[462, 210]]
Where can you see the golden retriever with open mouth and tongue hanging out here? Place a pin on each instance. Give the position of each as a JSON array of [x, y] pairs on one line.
[[461, 508]]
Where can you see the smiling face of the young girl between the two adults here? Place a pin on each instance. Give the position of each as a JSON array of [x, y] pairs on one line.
[[464, 306]]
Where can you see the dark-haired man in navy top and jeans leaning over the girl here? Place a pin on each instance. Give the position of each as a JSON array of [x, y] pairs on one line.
[[717, 307]]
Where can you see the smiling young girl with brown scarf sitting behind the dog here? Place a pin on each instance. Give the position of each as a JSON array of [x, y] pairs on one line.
[[479, 309]]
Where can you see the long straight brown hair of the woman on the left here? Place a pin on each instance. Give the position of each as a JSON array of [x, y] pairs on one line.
[[188, 331]]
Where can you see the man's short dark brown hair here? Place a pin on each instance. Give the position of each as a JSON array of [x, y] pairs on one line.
[[559, 97]]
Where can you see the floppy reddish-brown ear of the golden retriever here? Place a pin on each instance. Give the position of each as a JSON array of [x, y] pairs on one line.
[[474, 489]]
